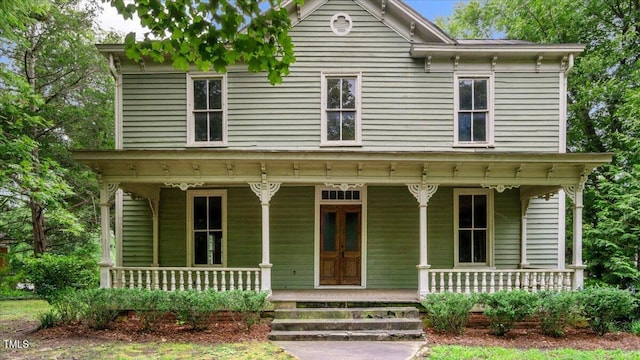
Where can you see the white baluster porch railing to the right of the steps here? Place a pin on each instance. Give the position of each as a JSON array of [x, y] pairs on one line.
[[488, 281]]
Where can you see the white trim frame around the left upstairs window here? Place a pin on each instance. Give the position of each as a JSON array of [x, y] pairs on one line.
[[190, 118]]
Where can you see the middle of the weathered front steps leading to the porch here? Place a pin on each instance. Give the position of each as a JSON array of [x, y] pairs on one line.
[[346, 324]]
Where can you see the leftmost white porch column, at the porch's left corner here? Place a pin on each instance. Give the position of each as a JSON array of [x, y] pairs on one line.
[[106, 192]]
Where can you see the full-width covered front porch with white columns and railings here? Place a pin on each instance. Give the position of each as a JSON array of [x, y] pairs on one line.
[[287, 183]]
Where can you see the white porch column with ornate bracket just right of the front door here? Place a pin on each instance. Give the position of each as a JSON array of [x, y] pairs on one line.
[[423, 192]]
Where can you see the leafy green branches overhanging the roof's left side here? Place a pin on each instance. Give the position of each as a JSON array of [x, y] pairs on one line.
[[213, 34]]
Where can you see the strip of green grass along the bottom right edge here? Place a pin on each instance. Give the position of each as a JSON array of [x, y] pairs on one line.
[[497, 353]]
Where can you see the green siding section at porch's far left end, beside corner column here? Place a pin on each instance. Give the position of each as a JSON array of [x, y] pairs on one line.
[[137, 233]]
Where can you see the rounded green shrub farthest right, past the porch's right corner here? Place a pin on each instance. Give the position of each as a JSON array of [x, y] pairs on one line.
[[603, 305]]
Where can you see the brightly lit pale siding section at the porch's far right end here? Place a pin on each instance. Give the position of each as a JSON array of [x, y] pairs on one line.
[[542, 232]]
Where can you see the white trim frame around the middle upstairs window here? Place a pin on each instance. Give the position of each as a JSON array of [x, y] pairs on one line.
[[323, 110]]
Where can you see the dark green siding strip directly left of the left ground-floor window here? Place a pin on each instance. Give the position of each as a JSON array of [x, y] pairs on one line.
[[172, 245]]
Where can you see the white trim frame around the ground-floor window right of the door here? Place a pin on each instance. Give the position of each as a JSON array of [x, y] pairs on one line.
[[490, 227]]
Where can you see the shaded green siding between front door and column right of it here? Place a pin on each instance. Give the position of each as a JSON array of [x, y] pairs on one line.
[[392, 238]]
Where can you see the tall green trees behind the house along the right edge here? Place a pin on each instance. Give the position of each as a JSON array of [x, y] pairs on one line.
[[603, 104]]
